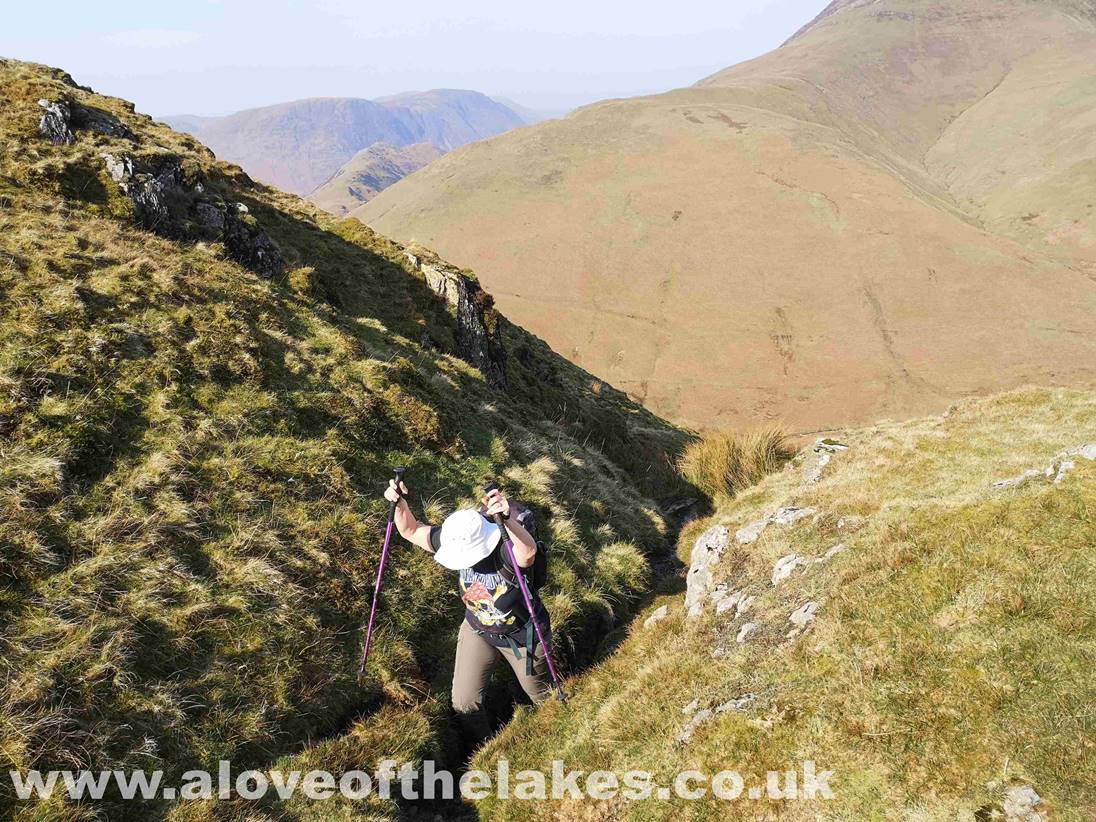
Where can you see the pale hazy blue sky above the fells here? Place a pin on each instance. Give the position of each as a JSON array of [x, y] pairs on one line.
[[218, 56]]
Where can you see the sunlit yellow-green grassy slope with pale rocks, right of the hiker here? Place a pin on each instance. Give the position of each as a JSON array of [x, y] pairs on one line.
[[953, 652]]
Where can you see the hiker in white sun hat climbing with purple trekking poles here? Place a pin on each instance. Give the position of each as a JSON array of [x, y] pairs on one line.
[[497, 623]]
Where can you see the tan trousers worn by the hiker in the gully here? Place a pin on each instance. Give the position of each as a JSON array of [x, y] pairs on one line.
[[476, 660]]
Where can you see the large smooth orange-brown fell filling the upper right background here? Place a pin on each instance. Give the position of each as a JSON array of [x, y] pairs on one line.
[[872, 221]]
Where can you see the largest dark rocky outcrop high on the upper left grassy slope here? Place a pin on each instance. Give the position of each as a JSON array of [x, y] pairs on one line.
[[177, 204]]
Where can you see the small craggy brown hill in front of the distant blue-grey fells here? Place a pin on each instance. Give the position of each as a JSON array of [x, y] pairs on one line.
[[369, 173]]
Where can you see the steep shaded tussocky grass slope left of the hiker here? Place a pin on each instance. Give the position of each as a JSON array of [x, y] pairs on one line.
[[190, 461]]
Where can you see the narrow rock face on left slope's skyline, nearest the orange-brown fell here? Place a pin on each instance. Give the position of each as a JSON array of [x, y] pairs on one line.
[[478, 338]]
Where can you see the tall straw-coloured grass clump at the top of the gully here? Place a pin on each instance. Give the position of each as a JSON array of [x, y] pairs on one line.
[[724, 464]]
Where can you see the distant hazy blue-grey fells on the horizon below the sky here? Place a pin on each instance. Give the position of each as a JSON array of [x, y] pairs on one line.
[[301, 145]]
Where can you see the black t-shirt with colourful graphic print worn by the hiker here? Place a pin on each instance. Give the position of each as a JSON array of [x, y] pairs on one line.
[[494, 604]]
